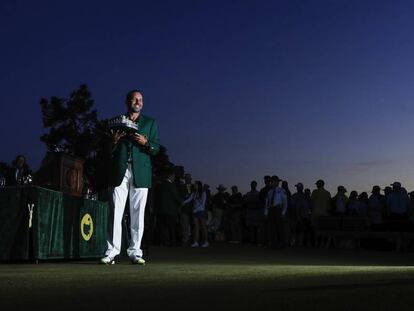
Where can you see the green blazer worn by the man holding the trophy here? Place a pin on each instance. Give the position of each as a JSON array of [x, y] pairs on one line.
[[141, 161]]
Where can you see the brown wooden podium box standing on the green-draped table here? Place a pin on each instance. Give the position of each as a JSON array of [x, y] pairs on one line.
[[61, 172]]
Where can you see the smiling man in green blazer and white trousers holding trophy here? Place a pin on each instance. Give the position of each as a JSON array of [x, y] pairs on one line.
[[130, 175]]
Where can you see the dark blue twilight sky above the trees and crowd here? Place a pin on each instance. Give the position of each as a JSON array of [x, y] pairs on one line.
[[301, 89]]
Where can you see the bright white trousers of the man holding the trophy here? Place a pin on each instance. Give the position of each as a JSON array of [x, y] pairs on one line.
[[137, 201]]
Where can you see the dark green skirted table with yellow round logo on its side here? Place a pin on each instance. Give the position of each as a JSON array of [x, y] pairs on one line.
[[62, 226]]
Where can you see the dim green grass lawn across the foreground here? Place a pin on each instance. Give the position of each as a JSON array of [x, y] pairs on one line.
[[236, 277]]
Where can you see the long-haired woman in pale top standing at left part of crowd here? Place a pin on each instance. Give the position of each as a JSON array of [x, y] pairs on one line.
[[198, 199]]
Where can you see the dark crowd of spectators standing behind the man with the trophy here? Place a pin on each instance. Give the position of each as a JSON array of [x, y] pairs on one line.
[[188, 214]]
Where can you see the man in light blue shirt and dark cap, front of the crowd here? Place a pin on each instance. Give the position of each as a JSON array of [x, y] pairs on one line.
[[275, 211]]
